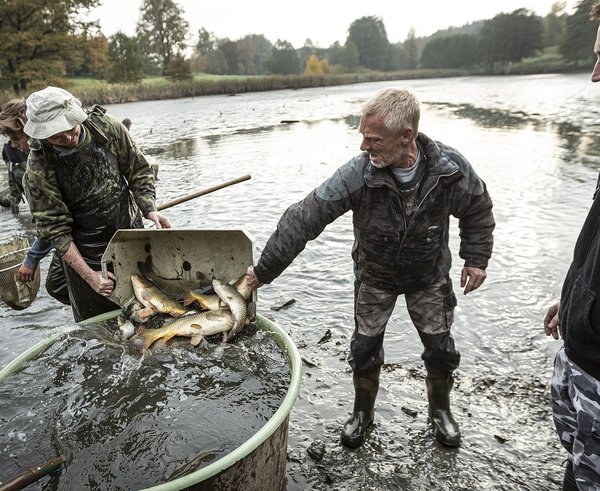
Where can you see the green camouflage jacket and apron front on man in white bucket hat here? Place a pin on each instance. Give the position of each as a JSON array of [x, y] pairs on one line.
[[86, 195]]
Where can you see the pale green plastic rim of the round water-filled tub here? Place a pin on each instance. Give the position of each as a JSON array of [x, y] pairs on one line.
[[282, 413]]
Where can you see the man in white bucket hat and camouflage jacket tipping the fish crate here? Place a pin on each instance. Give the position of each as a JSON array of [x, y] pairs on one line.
[[85, 179]]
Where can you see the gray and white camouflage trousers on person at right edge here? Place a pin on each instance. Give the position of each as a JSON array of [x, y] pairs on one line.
[[576, 409]]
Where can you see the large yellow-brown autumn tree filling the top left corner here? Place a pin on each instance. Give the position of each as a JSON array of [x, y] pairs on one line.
[[38, 37]]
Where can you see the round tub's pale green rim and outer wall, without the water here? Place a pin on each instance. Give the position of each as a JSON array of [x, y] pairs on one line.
[[259, 463]]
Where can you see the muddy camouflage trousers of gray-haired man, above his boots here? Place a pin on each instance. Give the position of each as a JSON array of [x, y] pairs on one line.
[[431, 311]]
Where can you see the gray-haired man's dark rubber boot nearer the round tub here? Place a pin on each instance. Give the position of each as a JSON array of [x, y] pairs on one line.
[[365, 393]]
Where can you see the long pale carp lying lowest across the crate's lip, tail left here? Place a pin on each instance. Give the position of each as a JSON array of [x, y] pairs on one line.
[[194, 325]]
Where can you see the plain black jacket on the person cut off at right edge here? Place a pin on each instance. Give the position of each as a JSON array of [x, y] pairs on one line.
[[579, 306]]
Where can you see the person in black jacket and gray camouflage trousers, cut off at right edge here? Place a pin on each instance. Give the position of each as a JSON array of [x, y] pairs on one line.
[[575, 381]]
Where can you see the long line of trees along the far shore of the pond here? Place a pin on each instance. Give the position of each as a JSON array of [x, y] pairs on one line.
[[43, 41]]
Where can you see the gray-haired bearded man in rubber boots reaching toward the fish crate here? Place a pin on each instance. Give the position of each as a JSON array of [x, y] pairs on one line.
[[402, 189]]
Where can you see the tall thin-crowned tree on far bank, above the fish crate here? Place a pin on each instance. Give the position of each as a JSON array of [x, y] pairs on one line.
[[162, 30]]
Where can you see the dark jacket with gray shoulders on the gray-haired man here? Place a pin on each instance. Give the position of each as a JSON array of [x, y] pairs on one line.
[[388, 252]]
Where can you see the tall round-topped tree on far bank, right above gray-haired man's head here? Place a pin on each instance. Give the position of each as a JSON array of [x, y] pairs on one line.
[[370, 37]]
